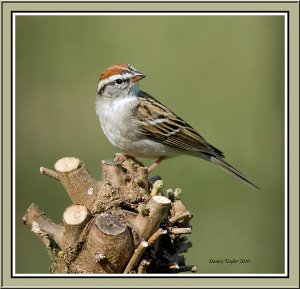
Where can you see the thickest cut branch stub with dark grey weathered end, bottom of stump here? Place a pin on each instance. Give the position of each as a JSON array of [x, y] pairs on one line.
[[108, 246]]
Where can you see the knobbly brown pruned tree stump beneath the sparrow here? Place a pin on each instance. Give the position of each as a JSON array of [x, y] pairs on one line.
[[121, 224]]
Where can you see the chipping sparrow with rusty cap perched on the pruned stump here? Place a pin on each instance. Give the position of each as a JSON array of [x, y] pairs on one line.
[[136, 123]]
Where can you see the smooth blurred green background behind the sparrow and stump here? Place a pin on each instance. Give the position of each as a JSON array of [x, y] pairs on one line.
[[223, 74]]
